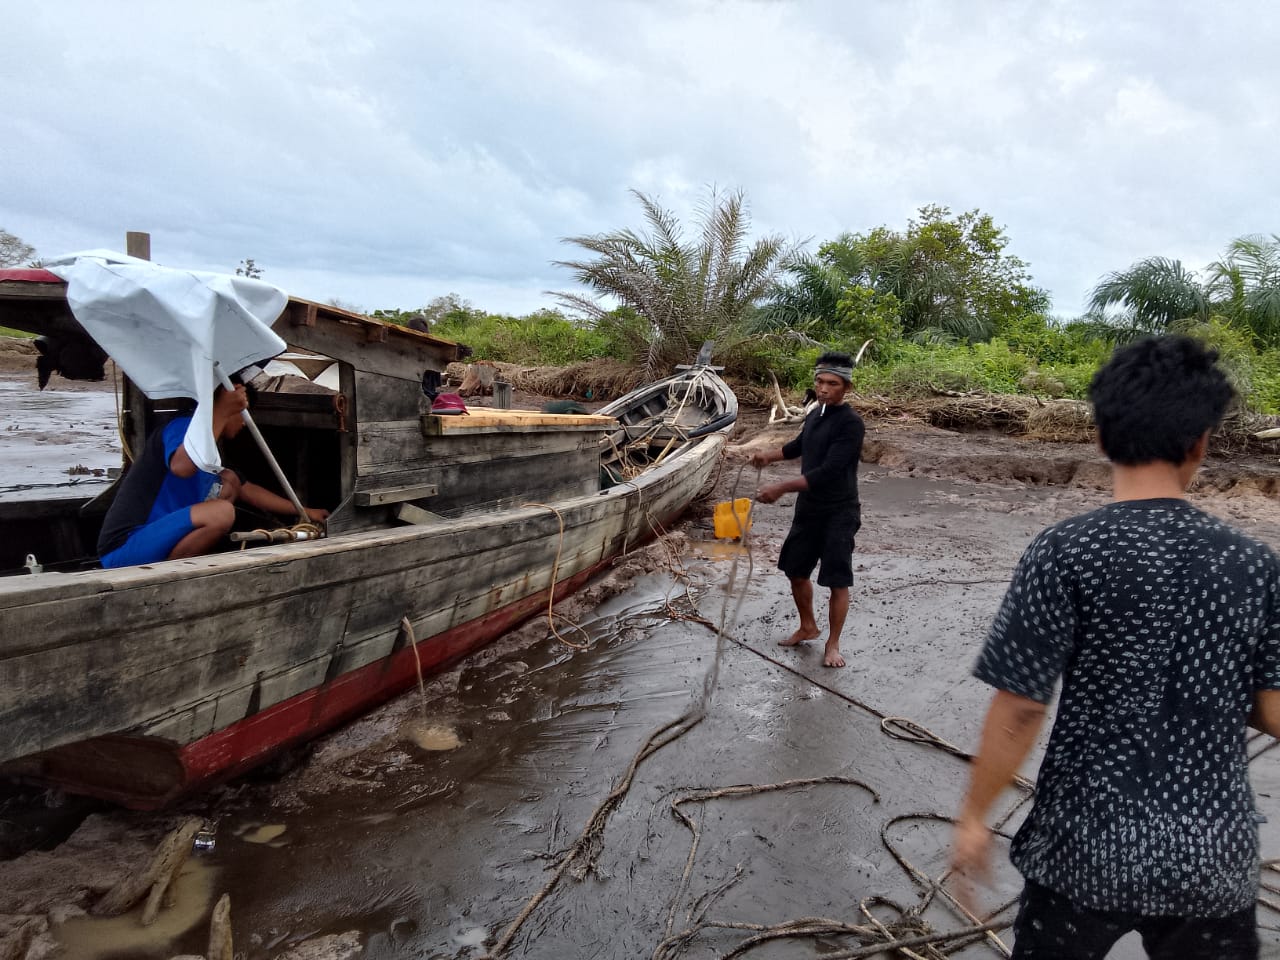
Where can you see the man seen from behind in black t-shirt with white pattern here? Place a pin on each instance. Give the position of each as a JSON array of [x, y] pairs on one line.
[[1164, 627]]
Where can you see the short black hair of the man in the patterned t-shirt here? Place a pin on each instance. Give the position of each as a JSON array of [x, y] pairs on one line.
[[1155, 399]]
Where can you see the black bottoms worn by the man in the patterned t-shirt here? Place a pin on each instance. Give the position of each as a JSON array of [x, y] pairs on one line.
[[1052, 927]]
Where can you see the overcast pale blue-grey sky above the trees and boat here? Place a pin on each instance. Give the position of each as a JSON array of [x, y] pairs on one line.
[[388, 153]]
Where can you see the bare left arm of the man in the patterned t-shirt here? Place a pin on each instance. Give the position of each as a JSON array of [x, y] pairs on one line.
[[1008, 735]]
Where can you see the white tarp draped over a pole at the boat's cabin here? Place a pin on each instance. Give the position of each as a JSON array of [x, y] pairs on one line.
[[166, 328]]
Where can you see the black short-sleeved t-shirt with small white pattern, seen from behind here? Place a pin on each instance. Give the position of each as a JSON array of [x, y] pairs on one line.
[[1162, 623]]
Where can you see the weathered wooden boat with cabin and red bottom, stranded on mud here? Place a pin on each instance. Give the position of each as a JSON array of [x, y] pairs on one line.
[[143, 684]]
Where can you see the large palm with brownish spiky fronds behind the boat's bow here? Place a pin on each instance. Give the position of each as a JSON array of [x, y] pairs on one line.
[[685, 294]]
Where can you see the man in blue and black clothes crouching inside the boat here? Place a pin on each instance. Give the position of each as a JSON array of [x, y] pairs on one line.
[[167, 509]]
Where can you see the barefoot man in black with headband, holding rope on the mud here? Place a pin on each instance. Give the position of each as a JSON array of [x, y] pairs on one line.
[[828, 514]]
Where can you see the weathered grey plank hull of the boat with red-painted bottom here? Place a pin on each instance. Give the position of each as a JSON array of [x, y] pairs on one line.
[[143, 684]]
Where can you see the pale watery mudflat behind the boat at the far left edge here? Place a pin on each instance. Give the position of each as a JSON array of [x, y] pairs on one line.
[[45, 435]]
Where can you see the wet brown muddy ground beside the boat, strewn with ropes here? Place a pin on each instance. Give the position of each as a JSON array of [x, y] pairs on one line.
[[424, 829]]
